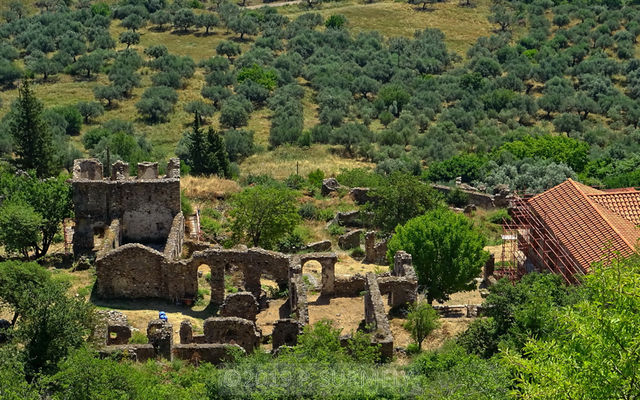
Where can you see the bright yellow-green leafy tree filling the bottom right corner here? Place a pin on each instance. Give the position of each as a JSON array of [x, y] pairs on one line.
[[592, 353]]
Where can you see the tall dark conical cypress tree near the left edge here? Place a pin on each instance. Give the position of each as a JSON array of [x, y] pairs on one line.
[[31, 136]]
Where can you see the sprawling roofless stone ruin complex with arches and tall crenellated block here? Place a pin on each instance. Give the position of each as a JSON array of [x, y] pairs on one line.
[[139, 228]]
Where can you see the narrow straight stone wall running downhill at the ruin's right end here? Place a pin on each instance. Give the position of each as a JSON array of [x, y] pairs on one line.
[[376, 317]]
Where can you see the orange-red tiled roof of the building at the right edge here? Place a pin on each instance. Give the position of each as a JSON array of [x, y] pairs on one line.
[[589, 222]]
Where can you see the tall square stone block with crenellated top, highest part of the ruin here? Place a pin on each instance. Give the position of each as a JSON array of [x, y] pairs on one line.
[[145, 206]]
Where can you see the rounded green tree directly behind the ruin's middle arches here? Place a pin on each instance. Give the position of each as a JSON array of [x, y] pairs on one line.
[[262, 215]]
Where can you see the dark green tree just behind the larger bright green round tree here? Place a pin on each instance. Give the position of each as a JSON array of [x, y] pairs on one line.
[[398, 198]]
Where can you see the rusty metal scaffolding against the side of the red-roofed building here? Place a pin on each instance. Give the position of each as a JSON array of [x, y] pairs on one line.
[[528, 244]]
